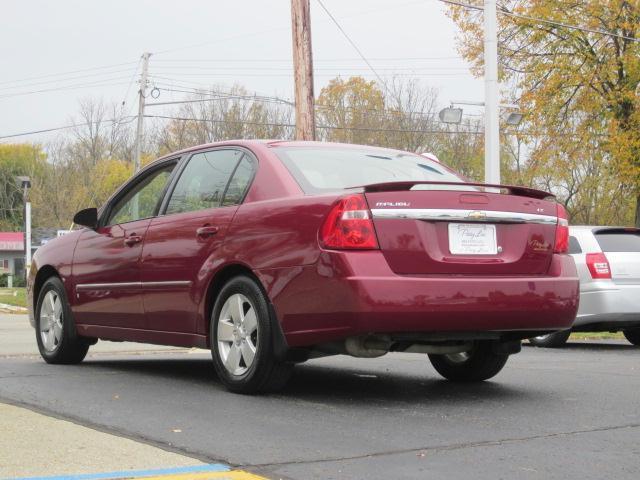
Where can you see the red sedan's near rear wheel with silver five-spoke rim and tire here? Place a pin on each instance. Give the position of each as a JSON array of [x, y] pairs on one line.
[[241, 336]]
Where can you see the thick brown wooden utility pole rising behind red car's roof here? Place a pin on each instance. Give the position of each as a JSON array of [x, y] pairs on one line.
[[303, 70]]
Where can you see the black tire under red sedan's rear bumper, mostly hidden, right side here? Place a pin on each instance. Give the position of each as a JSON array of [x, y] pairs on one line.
[[480, 363]]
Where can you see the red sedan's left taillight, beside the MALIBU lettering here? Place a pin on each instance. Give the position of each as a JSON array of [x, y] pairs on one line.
[[349, 226]]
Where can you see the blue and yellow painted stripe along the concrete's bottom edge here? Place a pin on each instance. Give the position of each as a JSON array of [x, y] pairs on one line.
[[214, 471]]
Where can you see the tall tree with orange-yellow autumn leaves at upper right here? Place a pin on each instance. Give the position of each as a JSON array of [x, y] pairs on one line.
[[579, 88]]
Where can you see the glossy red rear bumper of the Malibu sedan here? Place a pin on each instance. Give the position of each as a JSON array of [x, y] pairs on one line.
[[354, 293]]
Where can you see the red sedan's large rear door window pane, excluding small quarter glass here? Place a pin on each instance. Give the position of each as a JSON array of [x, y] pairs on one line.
[[204, 181]]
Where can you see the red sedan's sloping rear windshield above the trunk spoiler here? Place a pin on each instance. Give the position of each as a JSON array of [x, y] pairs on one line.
[[325, 169]]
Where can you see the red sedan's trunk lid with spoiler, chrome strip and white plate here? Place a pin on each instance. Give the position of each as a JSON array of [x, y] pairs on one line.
[[463, 228]]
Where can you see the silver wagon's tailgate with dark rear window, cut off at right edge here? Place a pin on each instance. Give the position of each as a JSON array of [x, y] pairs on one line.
[[622, 248]]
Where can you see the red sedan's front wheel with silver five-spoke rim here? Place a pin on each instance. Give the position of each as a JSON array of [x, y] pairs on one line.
[[56, 335]]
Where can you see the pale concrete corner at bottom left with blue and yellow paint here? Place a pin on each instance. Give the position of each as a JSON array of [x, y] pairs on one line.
[[35, 445]]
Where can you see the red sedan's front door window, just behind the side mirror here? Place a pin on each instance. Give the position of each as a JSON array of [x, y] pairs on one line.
[[143, 199]]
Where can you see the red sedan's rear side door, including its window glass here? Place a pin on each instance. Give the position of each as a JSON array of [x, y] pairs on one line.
[[182, 246]]
